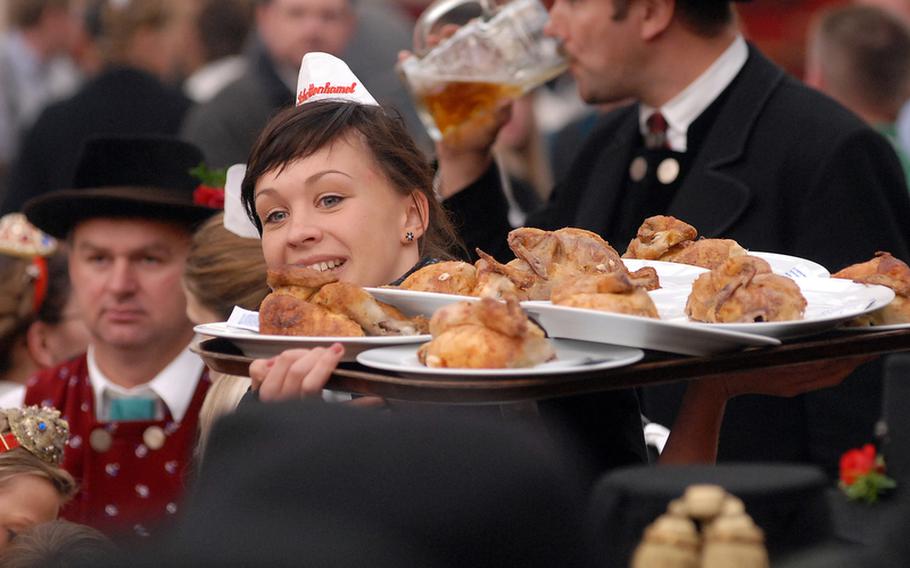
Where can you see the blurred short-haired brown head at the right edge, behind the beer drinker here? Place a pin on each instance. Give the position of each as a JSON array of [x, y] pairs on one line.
[[860, 56]]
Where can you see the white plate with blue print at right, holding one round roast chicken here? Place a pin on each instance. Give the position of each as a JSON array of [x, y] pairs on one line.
[[830, 301]]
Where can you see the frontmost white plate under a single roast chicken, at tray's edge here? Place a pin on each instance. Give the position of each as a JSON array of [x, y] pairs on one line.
[[571, 357]]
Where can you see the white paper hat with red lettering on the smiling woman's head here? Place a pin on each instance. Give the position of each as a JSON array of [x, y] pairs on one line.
[[325, 77]]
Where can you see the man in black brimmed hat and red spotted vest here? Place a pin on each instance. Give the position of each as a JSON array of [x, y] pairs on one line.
[[132, 400]]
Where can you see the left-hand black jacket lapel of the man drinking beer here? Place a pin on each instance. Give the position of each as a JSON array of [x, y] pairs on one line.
[[607, 179]]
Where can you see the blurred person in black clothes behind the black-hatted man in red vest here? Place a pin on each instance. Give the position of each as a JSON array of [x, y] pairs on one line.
[[141, 51]]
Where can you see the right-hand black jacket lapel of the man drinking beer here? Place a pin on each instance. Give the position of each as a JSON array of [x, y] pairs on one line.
[[710, 198]]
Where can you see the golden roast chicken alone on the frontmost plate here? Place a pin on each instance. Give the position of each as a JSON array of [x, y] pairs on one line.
[[486, 334]]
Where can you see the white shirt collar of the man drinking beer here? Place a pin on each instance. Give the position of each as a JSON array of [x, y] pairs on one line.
[[682, 110]]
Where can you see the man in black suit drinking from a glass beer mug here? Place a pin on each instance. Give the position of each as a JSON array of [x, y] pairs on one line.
[[723, 139]]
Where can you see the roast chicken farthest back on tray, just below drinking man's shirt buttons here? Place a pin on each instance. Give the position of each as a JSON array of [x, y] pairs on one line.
[[668, 239]]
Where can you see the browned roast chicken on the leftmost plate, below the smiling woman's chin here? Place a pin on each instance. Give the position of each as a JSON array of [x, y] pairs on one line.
[[307, 302]]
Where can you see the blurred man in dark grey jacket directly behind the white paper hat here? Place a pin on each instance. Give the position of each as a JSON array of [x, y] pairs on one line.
[[368, 35]]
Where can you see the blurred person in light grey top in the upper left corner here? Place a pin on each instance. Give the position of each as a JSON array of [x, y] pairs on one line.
[[34, 68]]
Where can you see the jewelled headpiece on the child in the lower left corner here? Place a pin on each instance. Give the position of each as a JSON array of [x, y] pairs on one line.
[[37, 429]]
